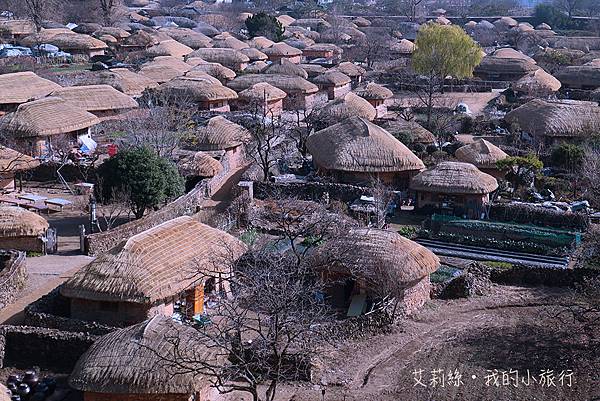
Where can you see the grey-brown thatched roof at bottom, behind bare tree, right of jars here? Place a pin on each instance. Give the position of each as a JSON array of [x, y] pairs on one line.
[[139, 360]]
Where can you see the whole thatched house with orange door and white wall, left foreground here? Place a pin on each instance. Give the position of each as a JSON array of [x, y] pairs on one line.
[[176, 262]]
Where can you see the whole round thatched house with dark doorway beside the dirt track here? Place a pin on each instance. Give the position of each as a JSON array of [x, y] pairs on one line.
[[366, 265]]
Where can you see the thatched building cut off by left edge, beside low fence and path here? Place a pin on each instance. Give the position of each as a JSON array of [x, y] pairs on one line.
[[22, 230]]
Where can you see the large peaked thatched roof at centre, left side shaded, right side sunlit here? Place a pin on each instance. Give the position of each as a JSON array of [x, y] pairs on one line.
[[358, 145]]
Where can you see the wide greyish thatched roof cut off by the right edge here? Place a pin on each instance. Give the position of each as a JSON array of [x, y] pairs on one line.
[[556, 118]]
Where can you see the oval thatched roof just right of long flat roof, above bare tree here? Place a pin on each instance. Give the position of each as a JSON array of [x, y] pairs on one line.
[[197, 89]]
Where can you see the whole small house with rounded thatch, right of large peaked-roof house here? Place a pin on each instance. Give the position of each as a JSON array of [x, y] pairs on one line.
[[458, 188]]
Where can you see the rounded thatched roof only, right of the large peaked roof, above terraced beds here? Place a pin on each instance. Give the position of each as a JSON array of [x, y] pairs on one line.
[[454, 178]]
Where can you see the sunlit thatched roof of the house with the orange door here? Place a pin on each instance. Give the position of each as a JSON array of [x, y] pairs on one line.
[[156, 264]]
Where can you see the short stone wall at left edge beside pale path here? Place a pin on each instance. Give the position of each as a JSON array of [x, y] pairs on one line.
[[13, 275]]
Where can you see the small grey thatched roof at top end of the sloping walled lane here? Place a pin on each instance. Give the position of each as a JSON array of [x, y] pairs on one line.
[[220, 134]]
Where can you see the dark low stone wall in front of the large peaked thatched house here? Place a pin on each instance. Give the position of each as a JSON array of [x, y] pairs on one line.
[[312, 191]]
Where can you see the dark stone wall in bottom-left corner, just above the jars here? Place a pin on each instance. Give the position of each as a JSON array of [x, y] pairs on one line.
[[24, 347]]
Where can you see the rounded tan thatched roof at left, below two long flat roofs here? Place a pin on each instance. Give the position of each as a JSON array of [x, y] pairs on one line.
[[48, 116]]
